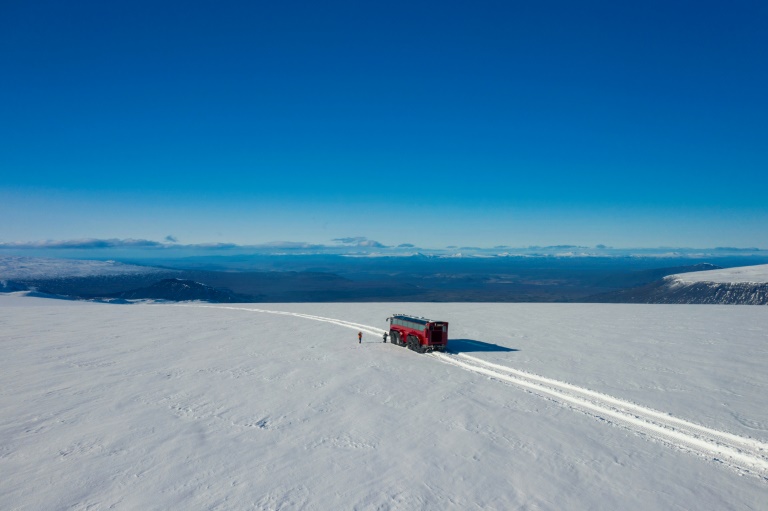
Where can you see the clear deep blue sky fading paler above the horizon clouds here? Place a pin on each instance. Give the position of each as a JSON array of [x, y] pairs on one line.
[[433, 123]]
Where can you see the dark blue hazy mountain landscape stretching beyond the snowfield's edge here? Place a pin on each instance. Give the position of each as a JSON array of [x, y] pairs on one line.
[[433, 281]]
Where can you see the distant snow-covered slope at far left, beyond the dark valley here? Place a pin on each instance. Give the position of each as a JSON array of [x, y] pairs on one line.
[[39, 267]]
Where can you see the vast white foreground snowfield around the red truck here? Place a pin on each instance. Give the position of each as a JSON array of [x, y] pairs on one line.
[[537, 406]]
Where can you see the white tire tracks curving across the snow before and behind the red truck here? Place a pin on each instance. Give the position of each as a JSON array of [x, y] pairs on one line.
[[745, 455]]
